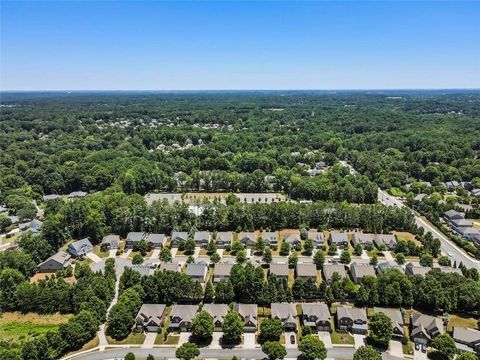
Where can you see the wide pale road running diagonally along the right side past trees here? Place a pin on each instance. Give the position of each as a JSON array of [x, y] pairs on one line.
[[447, 246]]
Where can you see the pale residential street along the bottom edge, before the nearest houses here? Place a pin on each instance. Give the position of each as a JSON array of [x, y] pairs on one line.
[[169, 353]]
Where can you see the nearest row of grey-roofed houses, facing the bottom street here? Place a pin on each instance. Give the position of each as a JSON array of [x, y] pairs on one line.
[[317, 316]]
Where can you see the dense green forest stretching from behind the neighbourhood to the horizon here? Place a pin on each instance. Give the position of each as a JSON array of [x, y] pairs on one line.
[[249, 142]]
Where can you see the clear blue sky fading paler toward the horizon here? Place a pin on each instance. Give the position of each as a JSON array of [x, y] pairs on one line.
[[239, 45]]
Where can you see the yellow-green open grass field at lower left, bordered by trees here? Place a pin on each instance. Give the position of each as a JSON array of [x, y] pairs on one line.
[[16, 327]]
